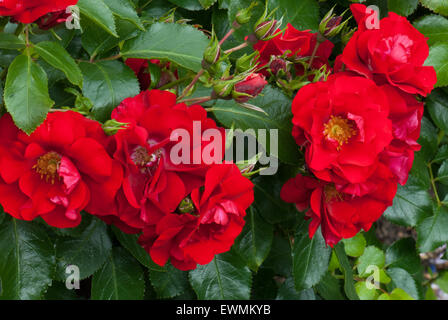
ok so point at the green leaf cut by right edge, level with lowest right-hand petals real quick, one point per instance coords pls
(432, 232)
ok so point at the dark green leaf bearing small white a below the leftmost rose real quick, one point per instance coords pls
(88, 252)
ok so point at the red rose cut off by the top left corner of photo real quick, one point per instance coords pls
(28, 11)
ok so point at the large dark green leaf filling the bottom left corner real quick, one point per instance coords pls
(27, 260)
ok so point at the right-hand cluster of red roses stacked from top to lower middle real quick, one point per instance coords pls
(360, 128)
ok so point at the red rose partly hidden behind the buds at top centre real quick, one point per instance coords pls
(295, 44)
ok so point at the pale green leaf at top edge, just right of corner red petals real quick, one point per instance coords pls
(98, 12)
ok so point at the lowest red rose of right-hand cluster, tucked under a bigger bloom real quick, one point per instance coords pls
(339, 215)
